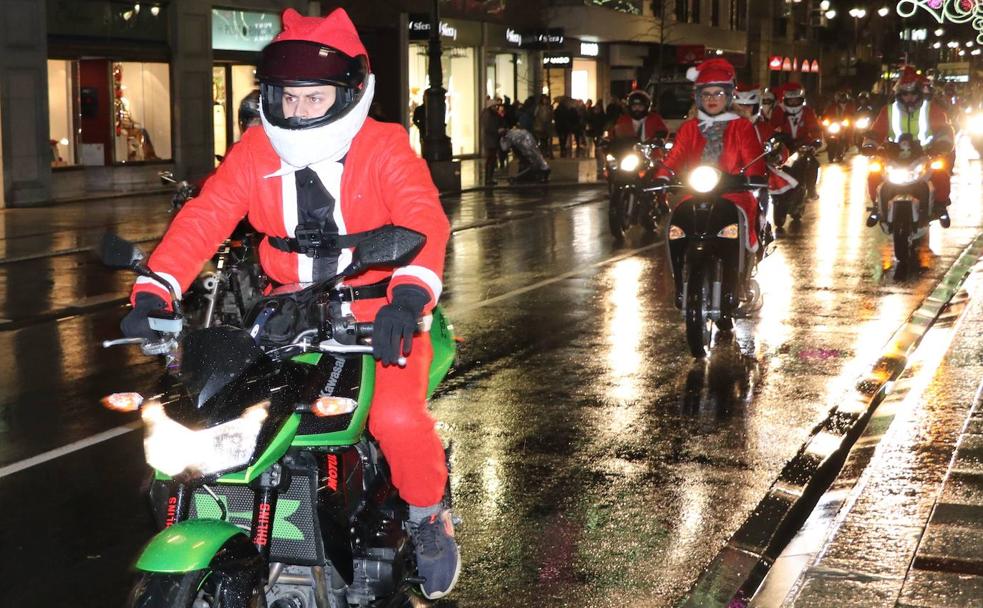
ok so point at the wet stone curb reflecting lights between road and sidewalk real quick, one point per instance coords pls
(736, 572)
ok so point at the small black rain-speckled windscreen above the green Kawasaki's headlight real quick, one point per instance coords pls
(213, 358)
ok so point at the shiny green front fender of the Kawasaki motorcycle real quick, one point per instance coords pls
(196, 544)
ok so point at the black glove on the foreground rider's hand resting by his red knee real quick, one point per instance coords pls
(396, 322)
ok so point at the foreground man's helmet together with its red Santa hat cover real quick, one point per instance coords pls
(313, 51)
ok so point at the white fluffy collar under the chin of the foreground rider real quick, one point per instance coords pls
(299, 148)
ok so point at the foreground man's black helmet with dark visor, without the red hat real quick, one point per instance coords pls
(305, 63)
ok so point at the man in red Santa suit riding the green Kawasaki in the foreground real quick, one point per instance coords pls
(320, 163)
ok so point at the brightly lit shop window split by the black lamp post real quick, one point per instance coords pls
(459, 71)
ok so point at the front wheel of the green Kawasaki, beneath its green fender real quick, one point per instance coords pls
(196, 589)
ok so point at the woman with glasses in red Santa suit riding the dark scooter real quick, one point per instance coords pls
(718, 136)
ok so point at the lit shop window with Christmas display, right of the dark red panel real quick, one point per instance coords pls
(142, 111)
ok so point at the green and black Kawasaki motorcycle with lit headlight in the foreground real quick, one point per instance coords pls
(268, 488)
